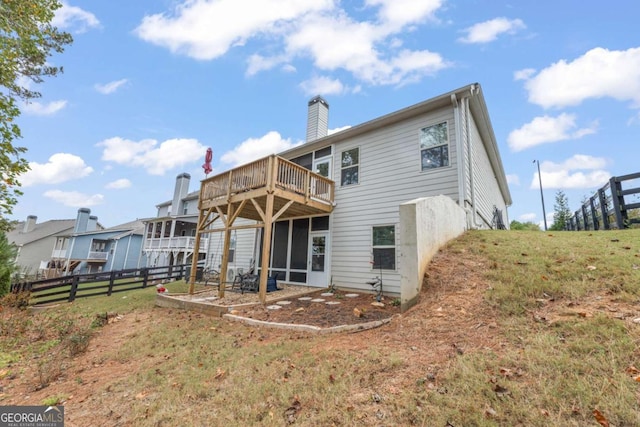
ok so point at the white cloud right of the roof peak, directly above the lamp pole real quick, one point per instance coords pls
(546, 129)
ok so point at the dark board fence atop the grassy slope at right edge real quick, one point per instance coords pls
(609, 207)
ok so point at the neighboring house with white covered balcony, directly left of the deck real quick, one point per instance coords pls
(170, 237)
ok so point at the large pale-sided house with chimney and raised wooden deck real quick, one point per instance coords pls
(330, 208)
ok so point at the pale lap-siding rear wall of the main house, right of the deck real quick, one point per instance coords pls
(389, 174)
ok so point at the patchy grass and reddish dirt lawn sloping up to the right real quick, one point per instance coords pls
(514, 328)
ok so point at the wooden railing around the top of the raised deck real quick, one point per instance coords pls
(270, 172)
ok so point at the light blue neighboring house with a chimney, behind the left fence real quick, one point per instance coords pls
(97, 249)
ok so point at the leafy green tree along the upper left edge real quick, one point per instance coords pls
(27, 39)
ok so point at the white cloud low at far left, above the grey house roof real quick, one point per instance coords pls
(61, 167)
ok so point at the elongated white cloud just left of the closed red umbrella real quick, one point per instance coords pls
(155, 158)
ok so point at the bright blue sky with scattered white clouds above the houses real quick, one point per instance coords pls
(149, 85)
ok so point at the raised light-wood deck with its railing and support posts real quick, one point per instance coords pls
(265, 190)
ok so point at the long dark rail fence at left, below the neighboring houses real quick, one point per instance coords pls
(69, 288)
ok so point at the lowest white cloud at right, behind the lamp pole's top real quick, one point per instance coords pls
(569, 174)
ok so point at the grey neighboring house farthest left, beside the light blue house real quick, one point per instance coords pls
(34, 241)
